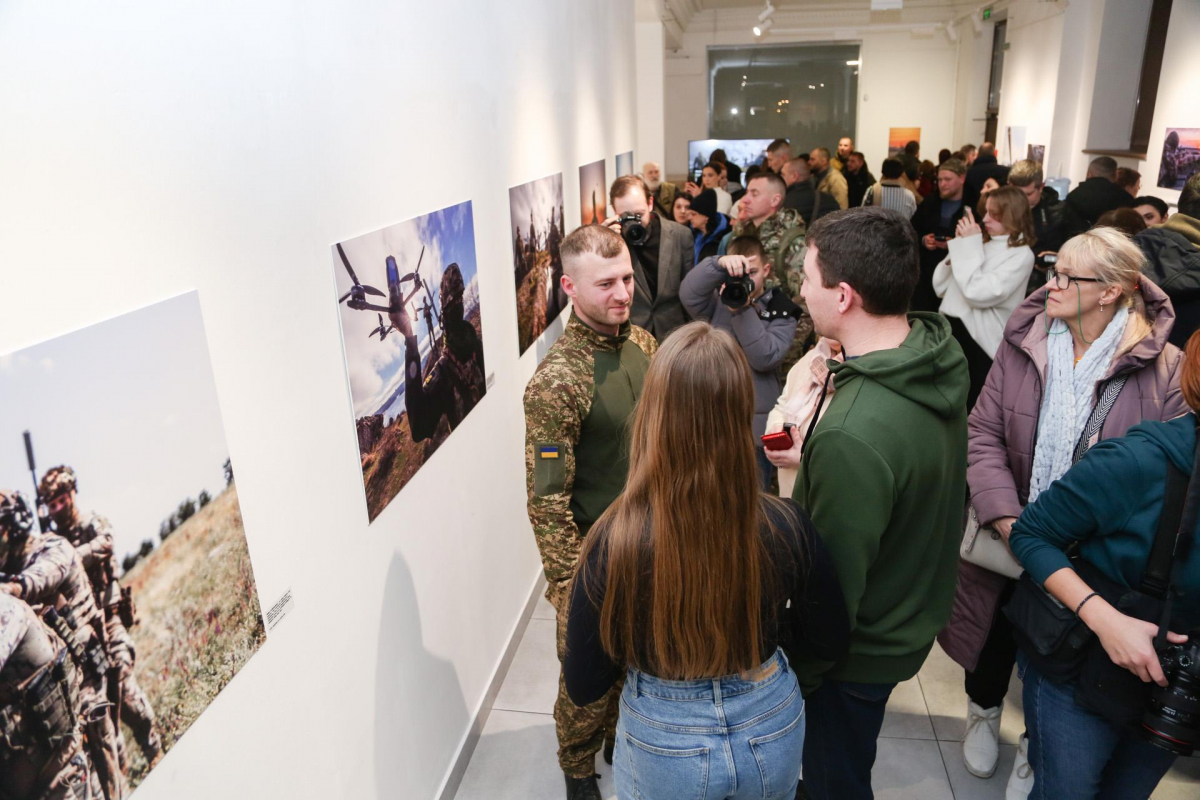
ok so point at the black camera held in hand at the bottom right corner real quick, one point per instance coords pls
(1173, 717)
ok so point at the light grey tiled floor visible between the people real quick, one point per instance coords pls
(920, 757)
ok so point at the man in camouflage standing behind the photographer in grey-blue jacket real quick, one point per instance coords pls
(782, 233)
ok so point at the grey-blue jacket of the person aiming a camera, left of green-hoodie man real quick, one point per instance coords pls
(765, 330)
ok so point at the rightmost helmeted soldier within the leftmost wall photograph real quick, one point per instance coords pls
(93, 538)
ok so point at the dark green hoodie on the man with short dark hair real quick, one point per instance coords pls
(884, 478)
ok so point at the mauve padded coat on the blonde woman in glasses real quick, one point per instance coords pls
(1003, 434)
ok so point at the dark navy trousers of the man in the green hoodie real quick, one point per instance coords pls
(847, 719)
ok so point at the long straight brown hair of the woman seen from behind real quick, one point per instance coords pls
(687, 558)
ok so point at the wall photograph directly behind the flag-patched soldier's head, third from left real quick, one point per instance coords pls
(538, 228)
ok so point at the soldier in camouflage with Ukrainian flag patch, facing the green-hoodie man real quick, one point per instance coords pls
(578, 407)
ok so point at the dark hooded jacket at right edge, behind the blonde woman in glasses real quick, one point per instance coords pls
(1173, 254)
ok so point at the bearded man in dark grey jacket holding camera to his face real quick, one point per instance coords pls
(663, 255)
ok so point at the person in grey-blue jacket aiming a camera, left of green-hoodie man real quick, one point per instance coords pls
(731, 293)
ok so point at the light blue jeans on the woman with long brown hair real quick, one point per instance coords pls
(709, 739)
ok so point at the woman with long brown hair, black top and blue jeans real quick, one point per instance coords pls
(694, 581)
